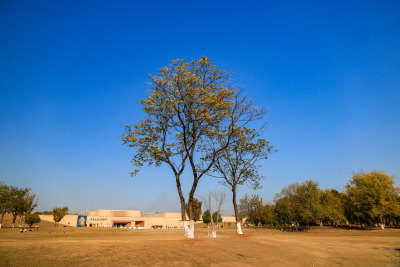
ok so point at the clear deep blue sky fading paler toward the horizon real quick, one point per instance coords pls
(72, 73)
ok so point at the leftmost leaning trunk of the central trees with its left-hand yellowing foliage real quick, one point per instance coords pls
(156, 140)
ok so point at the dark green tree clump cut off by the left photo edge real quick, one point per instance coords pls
(18, 202)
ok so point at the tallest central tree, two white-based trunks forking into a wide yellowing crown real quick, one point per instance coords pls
(189, 103)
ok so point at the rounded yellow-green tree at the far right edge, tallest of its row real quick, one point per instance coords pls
(372, 198)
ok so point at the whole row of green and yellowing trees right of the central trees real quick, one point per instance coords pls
(368, 199)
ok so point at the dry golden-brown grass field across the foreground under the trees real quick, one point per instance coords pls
(61, 246)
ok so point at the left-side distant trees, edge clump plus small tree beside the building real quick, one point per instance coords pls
(20, 203)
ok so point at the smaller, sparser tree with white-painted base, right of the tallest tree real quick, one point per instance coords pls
(236, 165)
